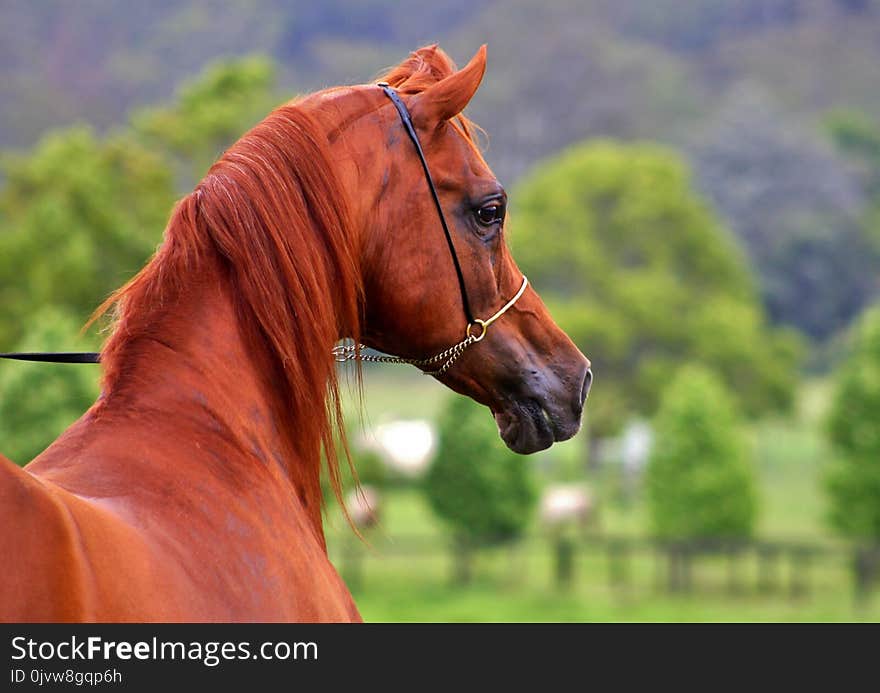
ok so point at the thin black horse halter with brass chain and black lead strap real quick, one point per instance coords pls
(348, 352)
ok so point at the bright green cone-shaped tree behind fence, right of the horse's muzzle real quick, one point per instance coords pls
(699, 481)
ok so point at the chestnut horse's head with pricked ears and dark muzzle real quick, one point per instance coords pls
(523, 366)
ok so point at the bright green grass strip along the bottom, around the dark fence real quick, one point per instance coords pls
(406, 567)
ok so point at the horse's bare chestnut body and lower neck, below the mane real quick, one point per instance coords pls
(174, 501)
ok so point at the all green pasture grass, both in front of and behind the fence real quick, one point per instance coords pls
(403, 573)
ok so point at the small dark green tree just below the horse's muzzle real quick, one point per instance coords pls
(483, 492)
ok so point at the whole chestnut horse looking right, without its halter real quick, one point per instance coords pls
(190, 490)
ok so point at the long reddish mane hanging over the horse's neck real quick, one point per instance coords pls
(272, 214)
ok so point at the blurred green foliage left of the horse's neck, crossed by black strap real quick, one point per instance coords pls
(79, 215)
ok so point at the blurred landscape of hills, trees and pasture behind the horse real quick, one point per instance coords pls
(695, 191)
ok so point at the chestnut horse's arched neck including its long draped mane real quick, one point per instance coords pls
(231, 325)
